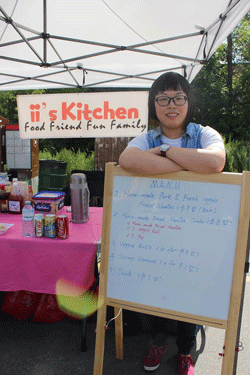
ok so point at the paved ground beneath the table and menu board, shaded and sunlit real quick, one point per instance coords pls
(28, 348)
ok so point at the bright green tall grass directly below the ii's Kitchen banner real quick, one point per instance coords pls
(75, 160)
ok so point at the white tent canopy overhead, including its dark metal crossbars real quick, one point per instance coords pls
(109, 43)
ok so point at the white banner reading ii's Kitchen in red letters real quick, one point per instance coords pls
(83, 115)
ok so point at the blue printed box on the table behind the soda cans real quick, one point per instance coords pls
(49, 202)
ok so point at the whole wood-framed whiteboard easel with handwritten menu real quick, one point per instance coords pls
(174, 245)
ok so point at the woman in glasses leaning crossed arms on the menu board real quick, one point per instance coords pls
(176, 144)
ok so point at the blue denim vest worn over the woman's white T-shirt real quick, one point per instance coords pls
(191, 139)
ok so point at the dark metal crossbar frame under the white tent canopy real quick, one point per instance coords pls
(61, 65)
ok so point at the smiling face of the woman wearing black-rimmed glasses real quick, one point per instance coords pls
(172, 116)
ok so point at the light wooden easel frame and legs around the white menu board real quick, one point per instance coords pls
(231, 324)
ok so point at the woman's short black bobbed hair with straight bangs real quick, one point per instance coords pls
(171, 81)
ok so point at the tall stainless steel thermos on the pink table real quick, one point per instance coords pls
(79, 193)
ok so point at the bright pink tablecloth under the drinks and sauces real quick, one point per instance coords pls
(36, 264)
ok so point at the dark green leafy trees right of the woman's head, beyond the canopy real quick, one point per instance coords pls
(222, 86)
